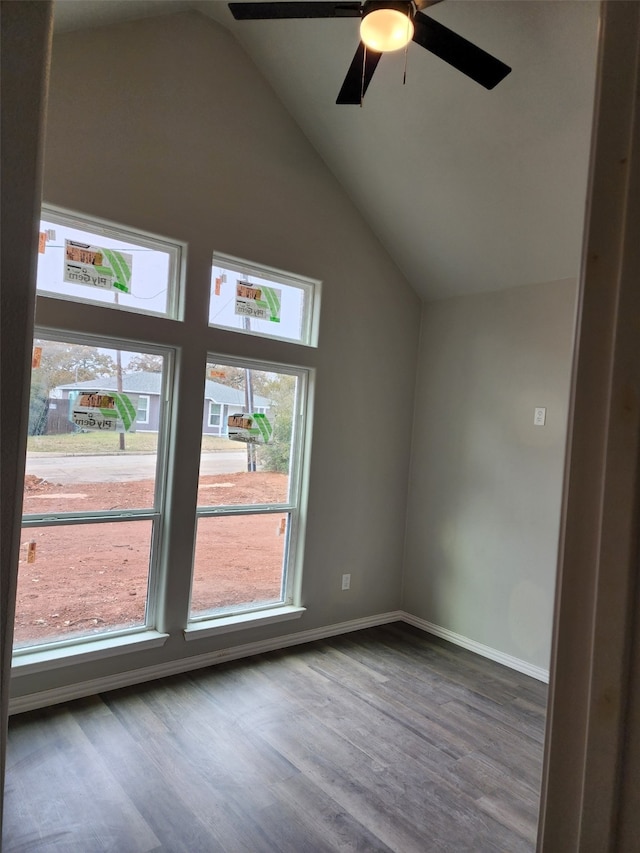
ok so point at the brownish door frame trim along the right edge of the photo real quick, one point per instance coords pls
(592, 758)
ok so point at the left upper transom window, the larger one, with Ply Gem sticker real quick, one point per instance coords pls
(89, 262)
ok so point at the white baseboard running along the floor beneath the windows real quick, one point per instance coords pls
(56, 695)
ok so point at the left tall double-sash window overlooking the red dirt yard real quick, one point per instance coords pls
(93, 492)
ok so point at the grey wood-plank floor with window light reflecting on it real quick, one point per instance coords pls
(381, 740)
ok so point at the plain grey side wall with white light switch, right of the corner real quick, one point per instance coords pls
(485, 488)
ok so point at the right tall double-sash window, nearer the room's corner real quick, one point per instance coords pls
(248, 495)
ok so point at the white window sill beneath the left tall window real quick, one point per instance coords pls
(38, 660)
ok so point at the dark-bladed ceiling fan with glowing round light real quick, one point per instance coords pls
(385, 26)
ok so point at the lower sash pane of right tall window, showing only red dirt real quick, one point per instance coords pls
(238, 563)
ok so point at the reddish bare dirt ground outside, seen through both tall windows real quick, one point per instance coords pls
(82, 579)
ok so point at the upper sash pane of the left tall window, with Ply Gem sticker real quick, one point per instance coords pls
(79, 458)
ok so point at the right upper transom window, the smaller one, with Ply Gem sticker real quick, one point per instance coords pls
(273, 304)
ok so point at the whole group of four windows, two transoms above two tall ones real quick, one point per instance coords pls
(129, 421)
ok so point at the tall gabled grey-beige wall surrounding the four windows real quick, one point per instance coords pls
(165, 125)
